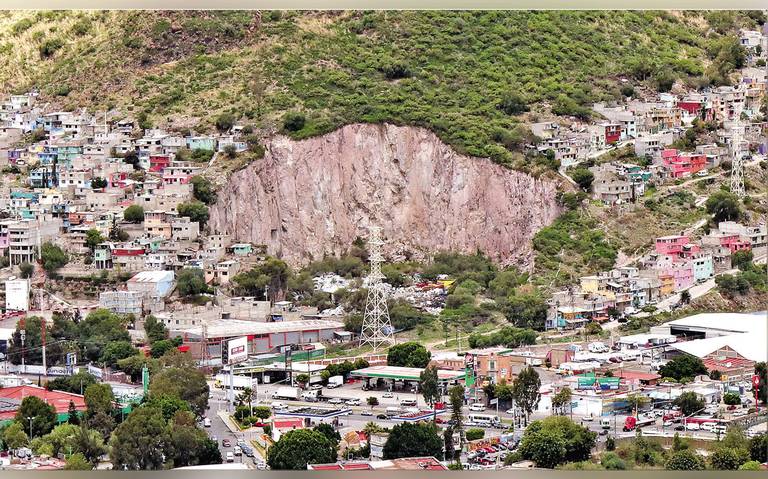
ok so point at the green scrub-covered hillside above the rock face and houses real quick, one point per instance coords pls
(467, 76)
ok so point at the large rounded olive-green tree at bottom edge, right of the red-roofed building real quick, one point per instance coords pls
(141, 442)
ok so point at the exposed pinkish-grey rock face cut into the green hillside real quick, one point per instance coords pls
(312, 197)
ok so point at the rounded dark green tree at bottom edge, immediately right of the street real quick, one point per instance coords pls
(300, 447)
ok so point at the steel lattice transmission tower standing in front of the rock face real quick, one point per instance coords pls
(377, 327)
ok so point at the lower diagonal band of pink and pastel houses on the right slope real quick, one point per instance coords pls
(676, 264)
